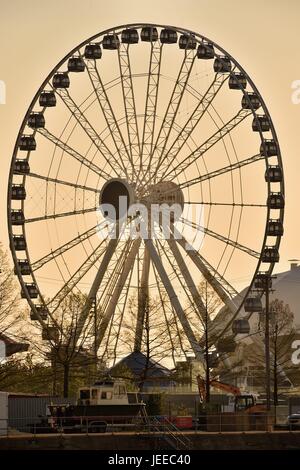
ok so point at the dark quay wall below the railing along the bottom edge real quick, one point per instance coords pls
(201, 441)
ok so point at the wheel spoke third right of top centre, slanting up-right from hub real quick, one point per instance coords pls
(192, 122)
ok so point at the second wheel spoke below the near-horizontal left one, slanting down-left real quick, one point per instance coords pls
(78, 275)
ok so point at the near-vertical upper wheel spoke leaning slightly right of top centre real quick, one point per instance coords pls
(151, 100)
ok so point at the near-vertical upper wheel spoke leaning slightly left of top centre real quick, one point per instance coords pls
(129, 103)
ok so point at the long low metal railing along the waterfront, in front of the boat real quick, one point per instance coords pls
(160, 427)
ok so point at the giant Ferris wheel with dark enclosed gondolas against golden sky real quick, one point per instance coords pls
(160, 115)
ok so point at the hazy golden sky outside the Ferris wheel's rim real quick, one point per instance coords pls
(262, 36)
